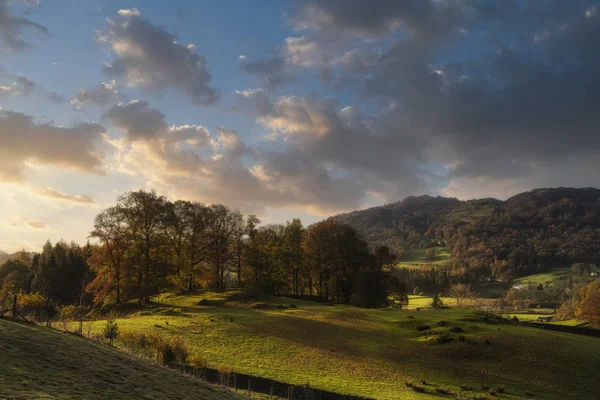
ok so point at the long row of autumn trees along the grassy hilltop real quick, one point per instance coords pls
(146, 244)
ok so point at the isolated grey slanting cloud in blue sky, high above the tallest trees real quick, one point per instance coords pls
(149, 57)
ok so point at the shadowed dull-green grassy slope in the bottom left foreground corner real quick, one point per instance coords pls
(40, 363)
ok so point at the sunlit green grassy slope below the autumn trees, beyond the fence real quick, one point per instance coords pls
(373, 352)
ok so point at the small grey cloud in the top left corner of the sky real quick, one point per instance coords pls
(12, 29)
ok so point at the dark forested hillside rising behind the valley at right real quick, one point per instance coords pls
(488, 237)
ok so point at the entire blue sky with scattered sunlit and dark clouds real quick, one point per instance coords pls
(300, 108)
